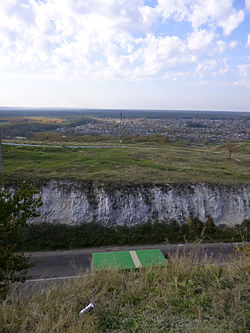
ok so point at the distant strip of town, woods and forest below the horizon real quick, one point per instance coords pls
(79, 125)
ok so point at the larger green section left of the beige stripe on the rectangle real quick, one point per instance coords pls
(111, 260)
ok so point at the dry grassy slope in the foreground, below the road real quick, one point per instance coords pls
(184, 296)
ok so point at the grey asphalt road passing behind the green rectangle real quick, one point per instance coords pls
(55, 265)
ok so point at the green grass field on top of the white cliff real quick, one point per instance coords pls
(137, 163)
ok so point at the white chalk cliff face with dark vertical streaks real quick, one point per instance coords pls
(73, 202)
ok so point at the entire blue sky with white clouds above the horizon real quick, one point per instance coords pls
(132, 54)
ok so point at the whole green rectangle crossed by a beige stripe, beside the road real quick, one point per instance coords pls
(127, 259)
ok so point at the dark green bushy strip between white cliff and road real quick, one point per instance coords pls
(47, 236)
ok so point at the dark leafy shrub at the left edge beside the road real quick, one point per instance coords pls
(16, 208)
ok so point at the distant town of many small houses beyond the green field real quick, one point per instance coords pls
(191, 130)
